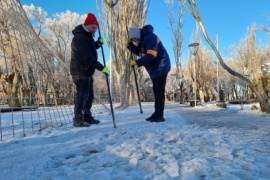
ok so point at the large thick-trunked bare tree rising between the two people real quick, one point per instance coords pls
(126, 13)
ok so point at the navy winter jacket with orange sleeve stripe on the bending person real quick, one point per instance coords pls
(154, 56)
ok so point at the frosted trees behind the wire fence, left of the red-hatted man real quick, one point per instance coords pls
(33, 61)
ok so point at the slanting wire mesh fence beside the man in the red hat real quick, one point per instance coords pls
(36, 90)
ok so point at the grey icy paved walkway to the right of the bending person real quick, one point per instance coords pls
(232, 119)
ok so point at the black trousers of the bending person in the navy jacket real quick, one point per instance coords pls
(159, 93)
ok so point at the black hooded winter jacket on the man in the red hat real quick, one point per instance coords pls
(84, 59)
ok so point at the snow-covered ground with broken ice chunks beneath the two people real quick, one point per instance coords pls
(204, 142)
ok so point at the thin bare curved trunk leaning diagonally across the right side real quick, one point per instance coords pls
(191, 7)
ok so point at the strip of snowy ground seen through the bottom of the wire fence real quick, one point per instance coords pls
(25, 122)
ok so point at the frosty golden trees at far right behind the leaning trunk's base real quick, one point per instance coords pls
(253, 61)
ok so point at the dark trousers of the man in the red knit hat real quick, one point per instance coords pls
(84, 95)
